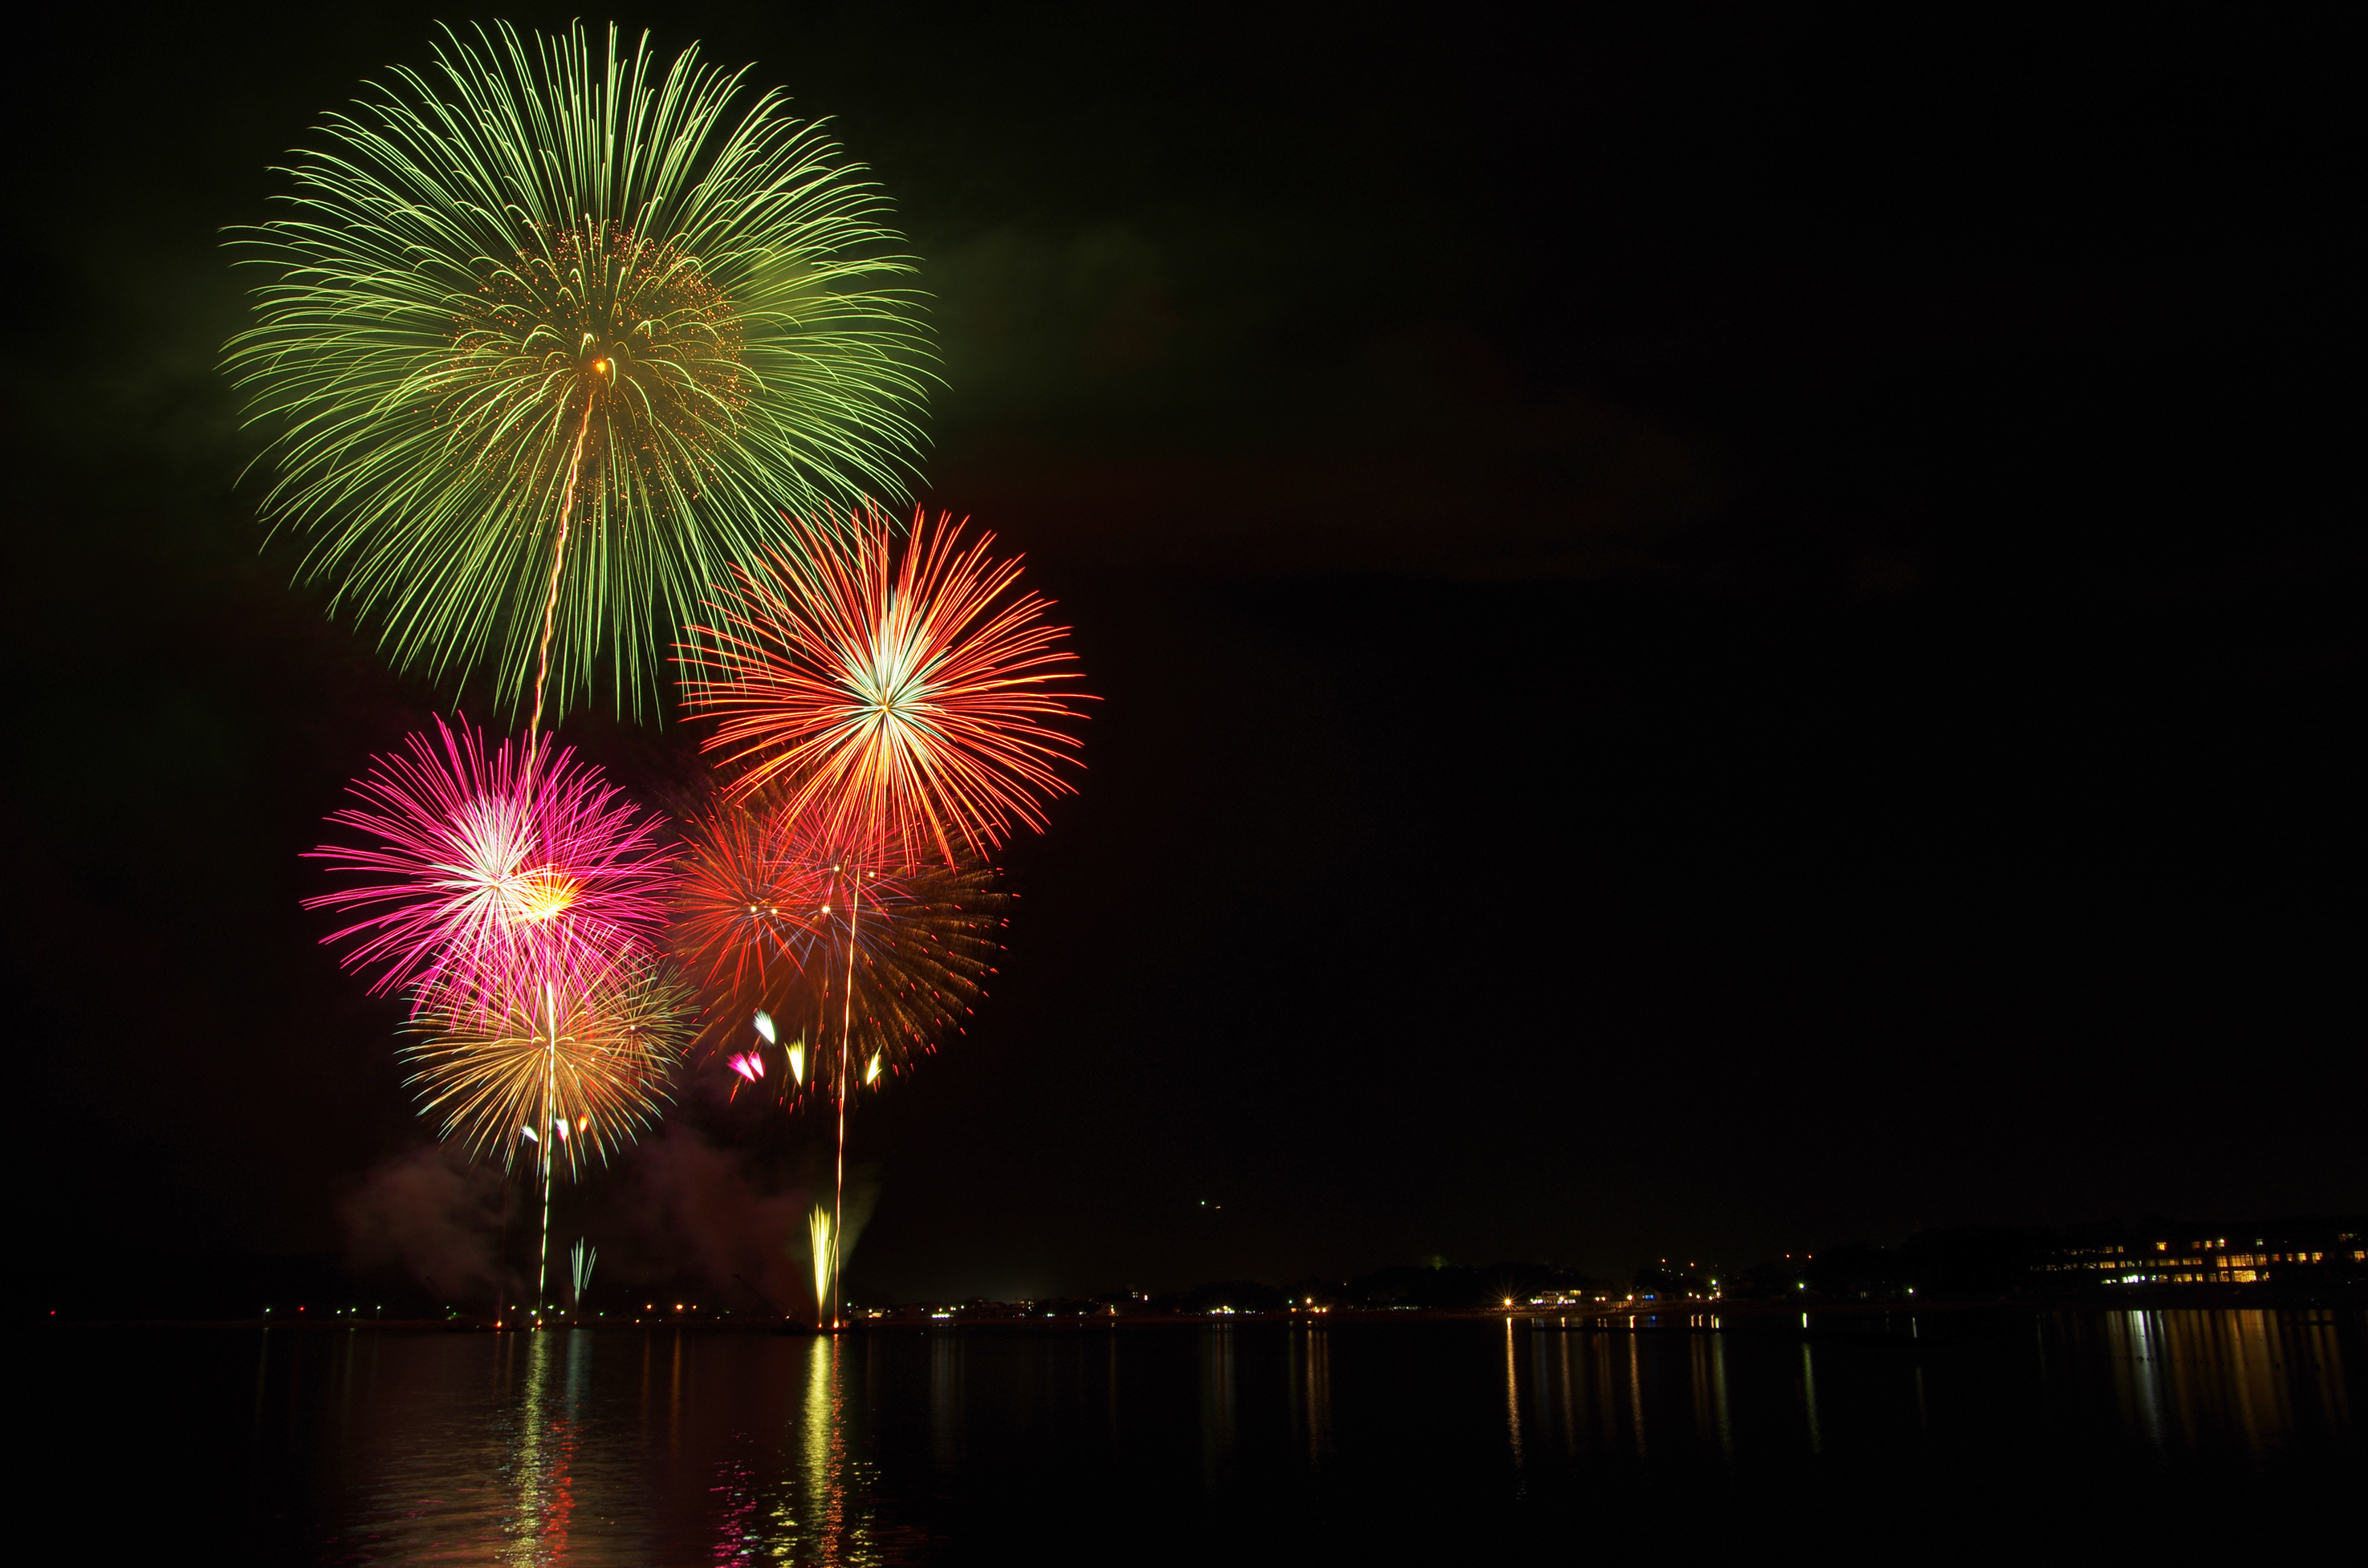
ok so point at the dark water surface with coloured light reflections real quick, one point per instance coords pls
(1448, 1441)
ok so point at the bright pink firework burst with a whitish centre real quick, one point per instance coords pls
(482, 868)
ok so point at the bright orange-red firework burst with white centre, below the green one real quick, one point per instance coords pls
(887, 690)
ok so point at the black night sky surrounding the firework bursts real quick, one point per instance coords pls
(1720, 631)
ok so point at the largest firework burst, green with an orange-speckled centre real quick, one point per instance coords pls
(553, 342)
